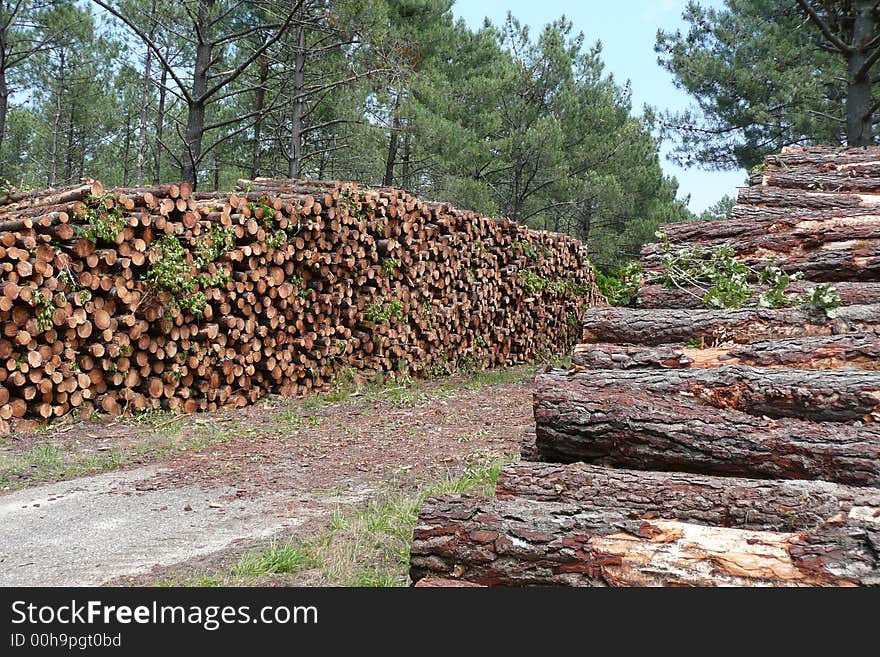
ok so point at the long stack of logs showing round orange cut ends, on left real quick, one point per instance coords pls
(297, 280)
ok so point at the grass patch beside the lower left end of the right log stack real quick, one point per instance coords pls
(363, 546)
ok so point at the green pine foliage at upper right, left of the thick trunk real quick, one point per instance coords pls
(762, 78)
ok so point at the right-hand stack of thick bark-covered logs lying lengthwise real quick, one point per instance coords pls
(689, 446)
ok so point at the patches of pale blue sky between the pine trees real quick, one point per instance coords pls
(628, 31)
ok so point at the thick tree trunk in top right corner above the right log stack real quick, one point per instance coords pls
(859, 104)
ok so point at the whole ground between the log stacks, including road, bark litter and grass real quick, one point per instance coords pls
(322, 490)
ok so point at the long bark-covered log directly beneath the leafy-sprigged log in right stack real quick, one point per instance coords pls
(666, 326)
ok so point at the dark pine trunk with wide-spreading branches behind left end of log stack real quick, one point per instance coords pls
(195, 122)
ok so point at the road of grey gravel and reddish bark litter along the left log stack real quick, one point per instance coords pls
(222, 482)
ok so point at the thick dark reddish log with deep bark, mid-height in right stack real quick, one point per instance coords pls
(579, 421)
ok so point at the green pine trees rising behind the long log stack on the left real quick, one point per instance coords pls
(498, 119)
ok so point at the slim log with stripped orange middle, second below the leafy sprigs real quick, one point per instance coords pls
(846, 351)
